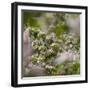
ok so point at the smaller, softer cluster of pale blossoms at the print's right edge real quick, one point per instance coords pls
(69, 42)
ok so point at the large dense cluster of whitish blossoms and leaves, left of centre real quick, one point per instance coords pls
(45, 46)
